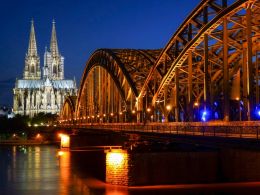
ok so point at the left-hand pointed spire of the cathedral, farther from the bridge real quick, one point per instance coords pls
(32, 68)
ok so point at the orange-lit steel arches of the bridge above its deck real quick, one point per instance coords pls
(209, 69)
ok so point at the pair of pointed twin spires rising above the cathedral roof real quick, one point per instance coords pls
(32, 60)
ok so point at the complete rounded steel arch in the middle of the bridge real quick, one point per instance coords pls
(111, 83)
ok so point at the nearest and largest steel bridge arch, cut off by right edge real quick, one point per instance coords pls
(218, 41)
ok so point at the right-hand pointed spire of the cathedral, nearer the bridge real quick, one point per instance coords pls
(53, 61)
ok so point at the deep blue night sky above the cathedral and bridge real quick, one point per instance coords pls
(82, 27)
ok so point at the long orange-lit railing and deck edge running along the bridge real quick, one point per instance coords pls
(234, 129)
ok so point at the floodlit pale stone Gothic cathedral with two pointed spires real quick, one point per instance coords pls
(42, 89)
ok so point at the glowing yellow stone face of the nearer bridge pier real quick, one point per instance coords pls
(117, 167)
